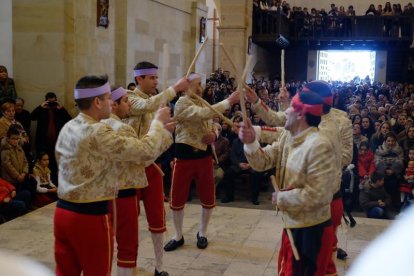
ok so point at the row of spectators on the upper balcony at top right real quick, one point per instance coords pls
(335, 21)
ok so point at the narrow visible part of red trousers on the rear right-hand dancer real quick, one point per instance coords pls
(337, 210)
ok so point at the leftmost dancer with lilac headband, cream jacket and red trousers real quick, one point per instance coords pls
(87, 152)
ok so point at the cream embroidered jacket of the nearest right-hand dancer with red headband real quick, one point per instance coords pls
(304, 165)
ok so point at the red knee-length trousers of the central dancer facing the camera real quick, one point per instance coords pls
(184, 171)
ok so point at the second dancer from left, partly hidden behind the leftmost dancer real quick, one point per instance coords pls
(131, 175)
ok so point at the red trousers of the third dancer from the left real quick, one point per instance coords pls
(153, 198)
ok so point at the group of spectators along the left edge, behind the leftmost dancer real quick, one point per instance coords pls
(28, 176)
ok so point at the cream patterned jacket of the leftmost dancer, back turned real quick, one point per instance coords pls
(87, 152)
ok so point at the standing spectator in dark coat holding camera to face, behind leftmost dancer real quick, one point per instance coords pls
(51, 116)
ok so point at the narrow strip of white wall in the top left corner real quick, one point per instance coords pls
(6, 34)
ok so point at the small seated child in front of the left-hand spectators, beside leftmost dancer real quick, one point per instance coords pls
(45, 189)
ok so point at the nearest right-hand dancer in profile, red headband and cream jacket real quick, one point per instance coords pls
(303, 157)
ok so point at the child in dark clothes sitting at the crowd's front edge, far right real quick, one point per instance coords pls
(374, 199)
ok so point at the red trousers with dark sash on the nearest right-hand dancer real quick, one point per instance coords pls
(314, 248)
